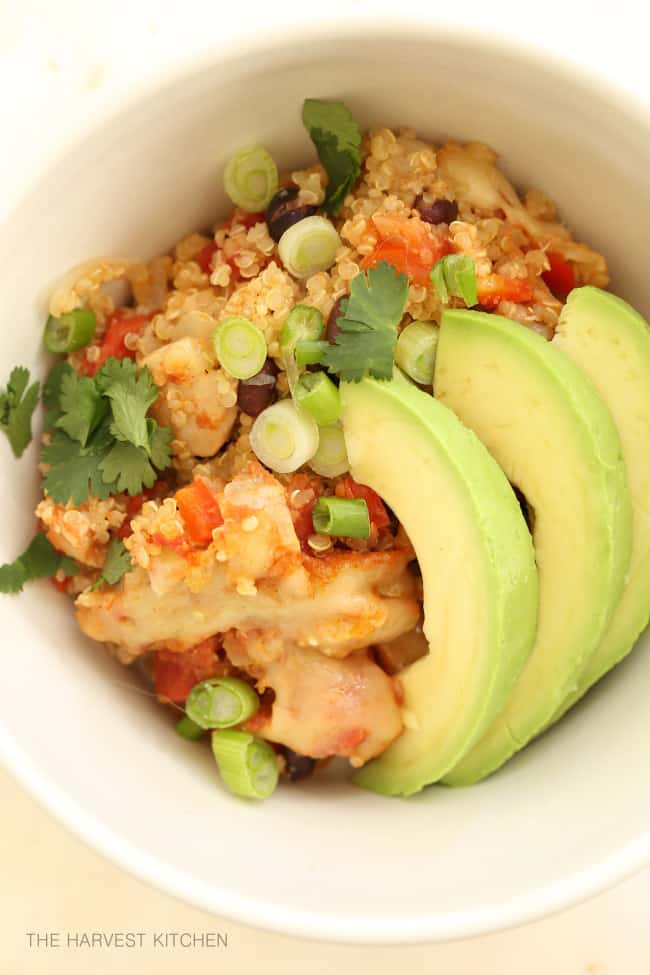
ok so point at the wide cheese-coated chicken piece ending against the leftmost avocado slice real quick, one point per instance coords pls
(251, 578)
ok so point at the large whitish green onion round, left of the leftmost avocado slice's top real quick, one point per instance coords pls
(284, 438)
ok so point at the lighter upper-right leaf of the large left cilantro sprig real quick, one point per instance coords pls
(131, 395)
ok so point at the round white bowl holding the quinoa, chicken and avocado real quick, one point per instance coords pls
(323, 859)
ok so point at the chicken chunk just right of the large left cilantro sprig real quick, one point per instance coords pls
(197, 400)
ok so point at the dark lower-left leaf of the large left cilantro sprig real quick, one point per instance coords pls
(75, 472)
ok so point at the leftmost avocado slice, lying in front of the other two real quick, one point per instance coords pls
(478, 573)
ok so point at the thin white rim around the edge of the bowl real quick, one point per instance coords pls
(360, 929)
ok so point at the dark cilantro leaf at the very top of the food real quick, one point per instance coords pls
(337, 138)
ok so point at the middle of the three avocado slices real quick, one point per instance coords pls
(545, 424)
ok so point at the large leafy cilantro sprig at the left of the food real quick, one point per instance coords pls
(101, 440)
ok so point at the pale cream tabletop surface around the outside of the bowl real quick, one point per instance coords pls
(62, 66)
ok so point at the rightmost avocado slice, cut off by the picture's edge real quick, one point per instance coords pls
(610, 342)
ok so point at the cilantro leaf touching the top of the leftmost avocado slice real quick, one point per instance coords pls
(368, 326)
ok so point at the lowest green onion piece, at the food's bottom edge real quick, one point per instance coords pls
(247, 764)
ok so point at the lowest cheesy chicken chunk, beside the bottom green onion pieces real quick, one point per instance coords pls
(325, 707)
